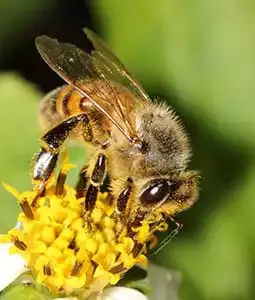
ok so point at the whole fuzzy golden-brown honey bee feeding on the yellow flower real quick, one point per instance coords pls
(139, 143)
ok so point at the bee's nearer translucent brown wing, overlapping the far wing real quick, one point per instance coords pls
(76, 67)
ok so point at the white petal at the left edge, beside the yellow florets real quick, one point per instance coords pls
(11, 266)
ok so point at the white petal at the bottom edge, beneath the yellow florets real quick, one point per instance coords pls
(122, 293)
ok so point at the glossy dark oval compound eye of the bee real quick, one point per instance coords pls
(156, 192)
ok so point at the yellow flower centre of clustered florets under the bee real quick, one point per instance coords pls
(71, 251)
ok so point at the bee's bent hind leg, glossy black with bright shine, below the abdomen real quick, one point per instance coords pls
(52, 142)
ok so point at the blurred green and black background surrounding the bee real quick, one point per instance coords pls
(197, 55)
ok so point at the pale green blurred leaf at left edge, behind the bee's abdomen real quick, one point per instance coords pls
(19, 136)
